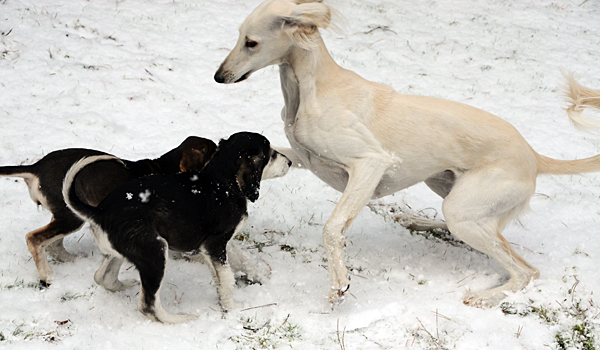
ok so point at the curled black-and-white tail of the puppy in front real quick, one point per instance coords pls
(83, 210)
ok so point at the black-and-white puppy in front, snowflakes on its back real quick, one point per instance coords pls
(188, 212)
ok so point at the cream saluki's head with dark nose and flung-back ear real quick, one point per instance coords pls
(269, 34)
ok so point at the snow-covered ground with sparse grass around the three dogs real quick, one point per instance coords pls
(135, 77)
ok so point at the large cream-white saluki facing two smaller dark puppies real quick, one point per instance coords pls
(367, 141)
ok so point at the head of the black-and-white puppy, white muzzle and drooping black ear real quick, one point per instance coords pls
(255, 161)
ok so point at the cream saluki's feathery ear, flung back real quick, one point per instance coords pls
(304, 22)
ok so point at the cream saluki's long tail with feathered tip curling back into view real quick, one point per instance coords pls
(579, 98)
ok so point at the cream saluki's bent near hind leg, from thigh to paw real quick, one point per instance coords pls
(476, 210)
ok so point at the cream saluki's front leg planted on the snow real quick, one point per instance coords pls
(364, 176)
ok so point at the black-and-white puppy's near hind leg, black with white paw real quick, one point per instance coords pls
(151, 265)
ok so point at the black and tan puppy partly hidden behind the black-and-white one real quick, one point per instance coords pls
(45, 178)
